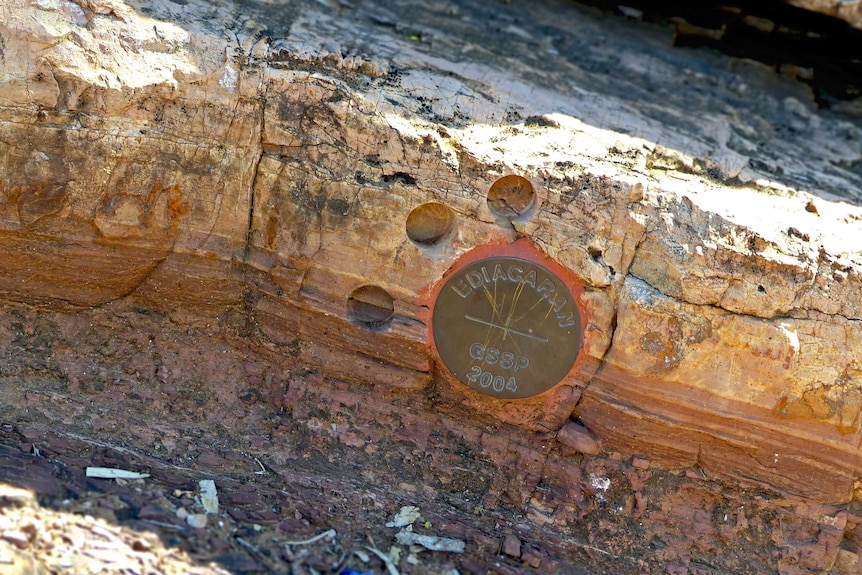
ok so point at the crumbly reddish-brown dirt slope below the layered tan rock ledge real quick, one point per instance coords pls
(295, 455)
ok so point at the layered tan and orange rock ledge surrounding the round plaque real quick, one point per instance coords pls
(254, 164)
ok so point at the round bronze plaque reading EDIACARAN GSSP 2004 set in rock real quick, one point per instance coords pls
(507, 327)
